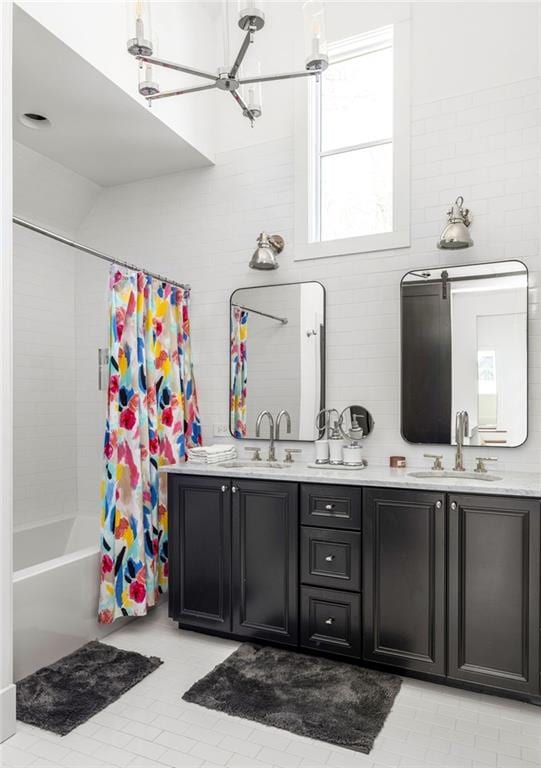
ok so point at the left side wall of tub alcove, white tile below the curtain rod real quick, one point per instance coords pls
(44, 418)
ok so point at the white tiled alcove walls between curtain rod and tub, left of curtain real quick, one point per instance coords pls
(60, 321)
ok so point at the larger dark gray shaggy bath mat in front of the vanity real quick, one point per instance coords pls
(327, 700)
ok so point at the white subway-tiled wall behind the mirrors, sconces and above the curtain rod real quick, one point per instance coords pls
(200, 226)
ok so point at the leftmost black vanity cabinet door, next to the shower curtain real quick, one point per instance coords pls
(200, 552)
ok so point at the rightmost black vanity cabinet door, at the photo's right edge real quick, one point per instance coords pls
(494, 591)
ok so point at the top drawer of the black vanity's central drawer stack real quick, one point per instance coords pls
(329, 506)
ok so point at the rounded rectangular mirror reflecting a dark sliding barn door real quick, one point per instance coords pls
(465, 348)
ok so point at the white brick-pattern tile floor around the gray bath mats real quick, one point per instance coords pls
(430, 726)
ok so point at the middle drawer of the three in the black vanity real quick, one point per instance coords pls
(331, 558)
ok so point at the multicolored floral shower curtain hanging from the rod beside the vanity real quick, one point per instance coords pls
(152, 417)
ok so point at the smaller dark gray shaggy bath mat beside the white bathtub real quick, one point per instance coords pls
(67, 693)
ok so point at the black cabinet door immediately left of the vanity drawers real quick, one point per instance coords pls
(265, 560)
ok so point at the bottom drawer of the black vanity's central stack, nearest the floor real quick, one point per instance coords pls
(331, 621)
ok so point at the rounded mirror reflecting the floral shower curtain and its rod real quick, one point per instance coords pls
(277, 358)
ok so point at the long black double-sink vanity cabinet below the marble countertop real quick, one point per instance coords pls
(429, 583)
